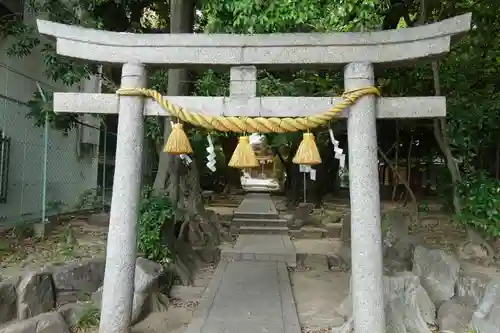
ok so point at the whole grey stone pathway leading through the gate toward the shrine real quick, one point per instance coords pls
(250, 291)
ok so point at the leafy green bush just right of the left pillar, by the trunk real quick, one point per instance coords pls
(155, 212)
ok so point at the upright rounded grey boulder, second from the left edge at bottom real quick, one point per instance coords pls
(35, 294)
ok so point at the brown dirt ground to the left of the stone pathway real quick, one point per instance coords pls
(76, 240)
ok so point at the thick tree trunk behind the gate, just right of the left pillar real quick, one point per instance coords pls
(175, 177)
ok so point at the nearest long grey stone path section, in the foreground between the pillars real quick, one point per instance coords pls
(247, 297)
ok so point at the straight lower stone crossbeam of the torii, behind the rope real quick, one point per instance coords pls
(387, 107)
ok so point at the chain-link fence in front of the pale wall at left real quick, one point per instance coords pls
(46, 172)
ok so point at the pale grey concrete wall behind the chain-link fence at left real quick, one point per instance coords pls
(68, 175)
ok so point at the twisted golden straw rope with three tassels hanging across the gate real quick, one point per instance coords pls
(244, 156)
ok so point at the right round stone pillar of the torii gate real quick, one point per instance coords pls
(366, 235)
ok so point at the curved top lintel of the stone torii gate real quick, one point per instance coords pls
(396, 47)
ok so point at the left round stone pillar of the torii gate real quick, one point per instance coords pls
(118, 290)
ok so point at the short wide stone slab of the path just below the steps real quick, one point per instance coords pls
(262, 248)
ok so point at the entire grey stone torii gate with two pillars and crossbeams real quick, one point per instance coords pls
(358, 52)
